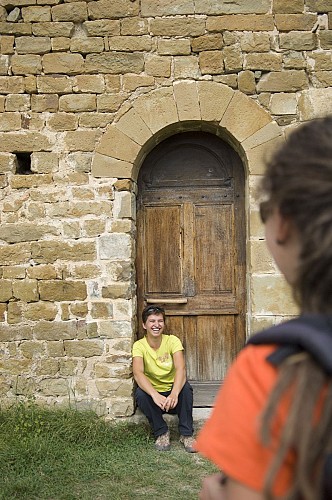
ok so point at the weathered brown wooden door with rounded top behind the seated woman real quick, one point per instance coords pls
(191, 251)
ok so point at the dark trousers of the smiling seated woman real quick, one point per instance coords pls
(154, 414)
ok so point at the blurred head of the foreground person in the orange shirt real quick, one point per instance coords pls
(298, 213)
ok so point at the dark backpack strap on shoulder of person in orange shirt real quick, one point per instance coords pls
(310, 333)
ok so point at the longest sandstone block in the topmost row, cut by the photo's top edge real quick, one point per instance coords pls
(234, 7)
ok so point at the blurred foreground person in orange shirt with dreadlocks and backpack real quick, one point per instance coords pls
(270, 432)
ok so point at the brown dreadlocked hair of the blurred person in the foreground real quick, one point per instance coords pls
(298, 181)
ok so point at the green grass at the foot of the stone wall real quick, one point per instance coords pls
(67, 455)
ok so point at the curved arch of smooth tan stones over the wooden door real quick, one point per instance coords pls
(185, 105)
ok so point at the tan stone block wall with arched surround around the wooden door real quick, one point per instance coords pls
(87, 89)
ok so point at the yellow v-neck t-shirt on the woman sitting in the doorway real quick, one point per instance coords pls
(158, 365)
